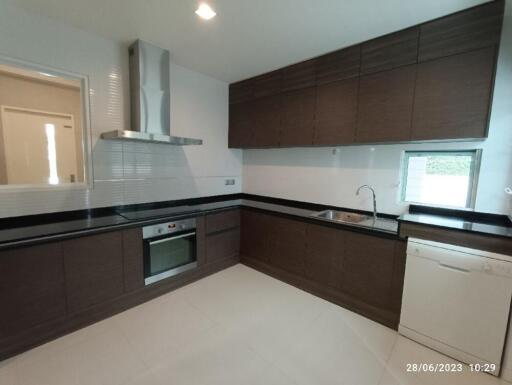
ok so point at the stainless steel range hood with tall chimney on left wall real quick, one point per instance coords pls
(150, 98)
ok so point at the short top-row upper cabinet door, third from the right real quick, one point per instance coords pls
(338, 65)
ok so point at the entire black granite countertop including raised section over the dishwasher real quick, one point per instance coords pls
(21, 231)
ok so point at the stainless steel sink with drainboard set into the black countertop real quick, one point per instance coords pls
(359, 220)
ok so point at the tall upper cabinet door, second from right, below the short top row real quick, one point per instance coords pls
(385, 106)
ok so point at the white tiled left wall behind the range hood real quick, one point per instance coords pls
(125, 173)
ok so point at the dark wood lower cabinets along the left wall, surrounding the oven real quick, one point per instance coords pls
(52, 289)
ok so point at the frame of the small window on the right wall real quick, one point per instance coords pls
(474, 174)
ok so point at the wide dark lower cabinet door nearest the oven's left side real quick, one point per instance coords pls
(94, 269)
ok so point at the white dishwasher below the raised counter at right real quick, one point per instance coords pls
(457, 301)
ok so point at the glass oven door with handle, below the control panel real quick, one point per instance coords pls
(168, 255)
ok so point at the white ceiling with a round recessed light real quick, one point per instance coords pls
(248, 37)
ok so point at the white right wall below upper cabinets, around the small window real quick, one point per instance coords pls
(316, 175)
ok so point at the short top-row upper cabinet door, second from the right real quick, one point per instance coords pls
(390, 51)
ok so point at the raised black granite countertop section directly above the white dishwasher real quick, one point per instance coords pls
(480, 223)
